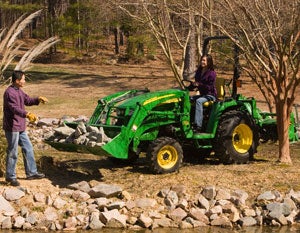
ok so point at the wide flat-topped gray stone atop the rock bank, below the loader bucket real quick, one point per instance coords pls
(105, 190)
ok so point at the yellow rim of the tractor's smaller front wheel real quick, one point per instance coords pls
(167, 157)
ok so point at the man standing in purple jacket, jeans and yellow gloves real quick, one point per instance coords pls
(14, 125)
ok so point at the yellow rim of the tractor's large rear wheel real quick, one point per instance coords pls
(242, 138)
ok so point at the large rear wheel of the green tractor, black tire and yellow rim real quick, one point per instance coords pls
(237, 138)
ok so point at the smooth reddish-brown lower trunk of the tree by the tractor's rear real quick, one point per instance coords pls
(283, 120)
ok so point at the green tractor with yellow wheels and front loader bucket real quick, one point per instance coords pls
(159, 124)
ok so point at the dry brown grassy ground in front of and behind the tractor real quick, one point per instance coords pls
(73, 89)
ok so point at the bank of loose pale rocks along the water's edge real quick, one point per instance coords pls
(95, 205)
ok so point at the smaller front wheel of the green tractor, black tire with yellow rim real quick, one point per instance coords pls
(164, 155)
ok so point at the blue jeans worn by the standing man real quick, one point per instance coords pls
(13, 140)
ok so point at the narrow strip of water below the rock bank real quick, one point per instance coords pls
(256, 229)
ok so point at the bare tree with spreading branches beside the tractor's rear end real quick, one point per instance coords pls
(268, 34)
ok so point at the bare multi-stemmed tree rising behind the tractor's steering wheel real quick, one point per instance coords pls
(174, 25)
